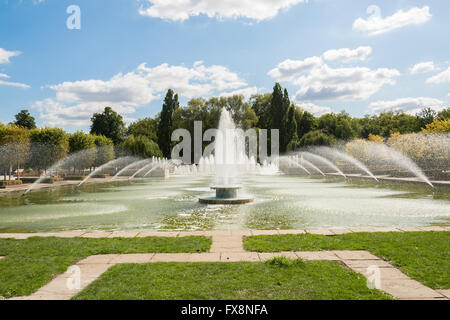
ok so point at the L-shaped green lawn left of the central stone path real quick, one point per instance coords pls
(30, 264)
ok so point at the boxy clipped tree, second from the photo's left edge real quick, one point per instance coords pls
(48, 146)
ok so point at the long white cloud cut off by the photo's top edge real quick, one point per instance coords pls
(180, 10)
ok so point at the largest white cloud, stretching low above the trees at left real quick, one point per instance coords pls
(75, 102)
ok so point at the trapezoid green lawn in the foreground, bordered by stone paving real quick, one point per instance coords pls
(280, 279)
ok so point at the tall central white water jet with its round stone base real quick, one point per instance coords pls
(230, 159)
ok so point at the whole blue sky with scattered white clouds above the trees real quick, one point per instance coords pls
(65, 60)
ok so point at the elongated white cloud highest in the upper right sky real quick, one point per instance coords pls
(376, 24)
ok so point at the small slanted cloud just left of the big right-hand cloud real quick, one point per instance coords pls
(289, 70)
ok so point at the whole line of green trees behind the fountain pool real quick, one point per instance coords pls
(22, 144)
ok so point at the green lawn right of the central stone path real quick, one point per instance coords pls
(424, 256)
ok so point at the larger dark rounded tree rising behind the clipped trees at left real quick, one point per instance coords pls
(109, 124)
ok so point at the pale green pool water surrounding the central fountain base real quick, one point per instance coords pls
(281, 202)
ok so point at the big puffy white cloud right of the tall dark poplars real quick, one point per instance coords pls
(326, 83)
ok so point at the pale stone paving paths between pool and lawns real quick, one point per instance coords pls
(227, 246)
